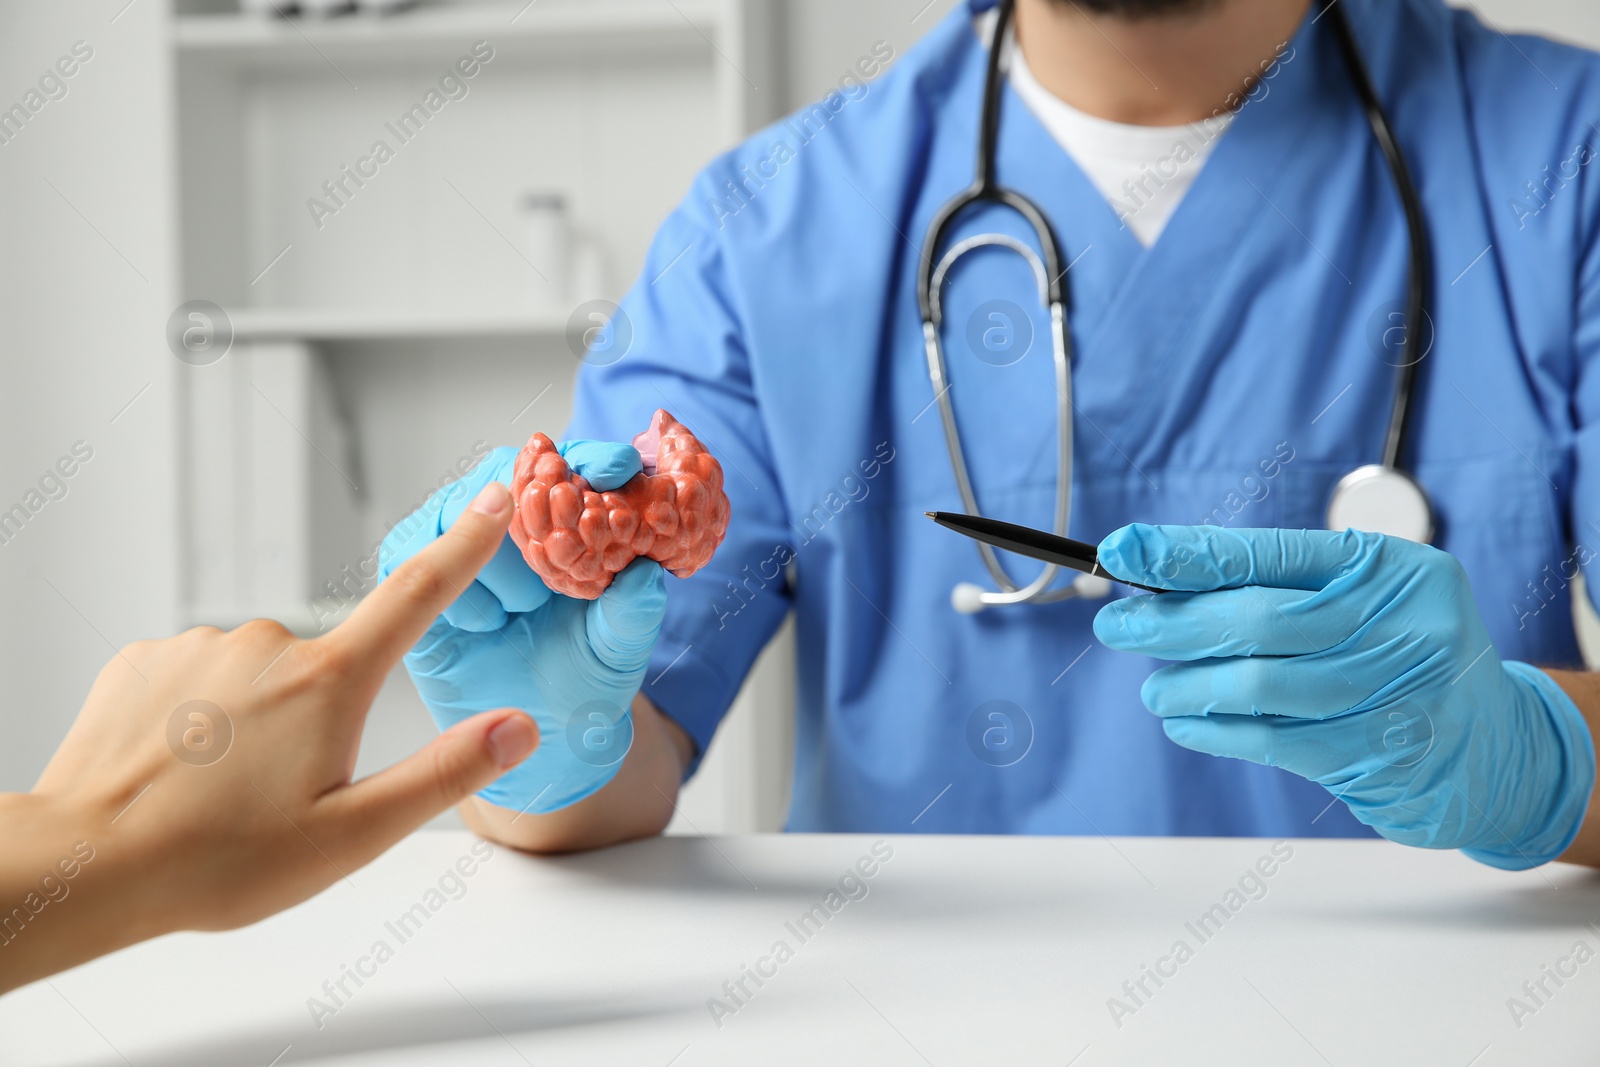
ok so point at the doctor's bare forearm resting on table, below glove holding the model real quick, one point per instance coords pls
(639, 802)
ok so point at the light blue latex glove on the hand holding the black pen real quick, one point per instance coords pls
(1361, 663)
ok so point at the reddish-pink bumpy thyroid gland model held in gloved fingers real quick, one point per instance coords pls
(578, 540)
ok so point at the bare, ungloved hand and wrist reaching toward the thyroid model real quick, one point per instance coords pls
(207, 783)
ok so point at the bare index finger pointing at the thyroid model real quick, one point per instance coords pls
(396, 615)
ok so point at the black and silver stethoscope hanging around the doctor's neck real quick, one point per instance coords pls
(1380, 498)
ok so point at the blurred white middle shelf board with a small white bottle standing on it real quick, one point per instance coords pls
(380, 326)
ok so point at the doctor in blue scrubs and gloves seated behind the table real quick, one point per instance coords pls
(1236, 258)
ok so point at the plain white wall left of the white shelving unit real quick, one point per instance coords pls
(86, 270)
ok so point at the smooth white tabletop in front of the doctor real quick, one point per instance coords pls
(966, 951)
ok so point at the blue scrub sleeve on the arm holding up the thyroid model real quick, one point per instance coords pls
(679, 345)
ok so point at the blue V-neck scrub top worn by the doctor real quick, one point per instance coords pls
(1230, 375)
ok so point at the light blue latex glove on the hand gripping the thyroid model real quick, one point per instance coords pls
(510, 642)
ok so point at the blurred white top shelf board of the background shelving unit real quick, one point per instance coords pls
(559, 26)
